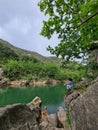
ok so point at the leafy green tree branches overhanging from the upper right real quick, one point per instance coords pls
(76, 24)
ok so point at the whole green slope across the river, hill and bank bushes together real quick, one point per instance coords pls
(22, 64)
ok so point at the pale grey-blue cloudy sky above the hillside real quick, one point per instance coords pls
(21, 23)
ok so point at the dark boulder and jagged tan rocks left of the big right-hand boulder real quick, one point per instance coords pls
(30, 117)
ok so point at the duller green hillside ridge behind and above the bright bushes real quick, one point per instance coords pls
(8, 51)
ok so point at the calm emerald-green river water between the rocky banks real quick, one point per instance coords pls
(51, 96)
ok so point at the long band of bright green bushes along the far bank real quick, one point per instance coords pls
(14, 69)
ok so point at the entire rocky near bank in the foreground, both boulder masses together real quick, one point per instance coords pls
(82, 109)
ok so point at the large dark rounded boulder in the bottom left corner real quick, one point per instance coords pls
(20, 117)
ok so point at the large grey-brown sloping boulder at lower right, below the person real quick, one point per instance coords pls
(83, 109)
